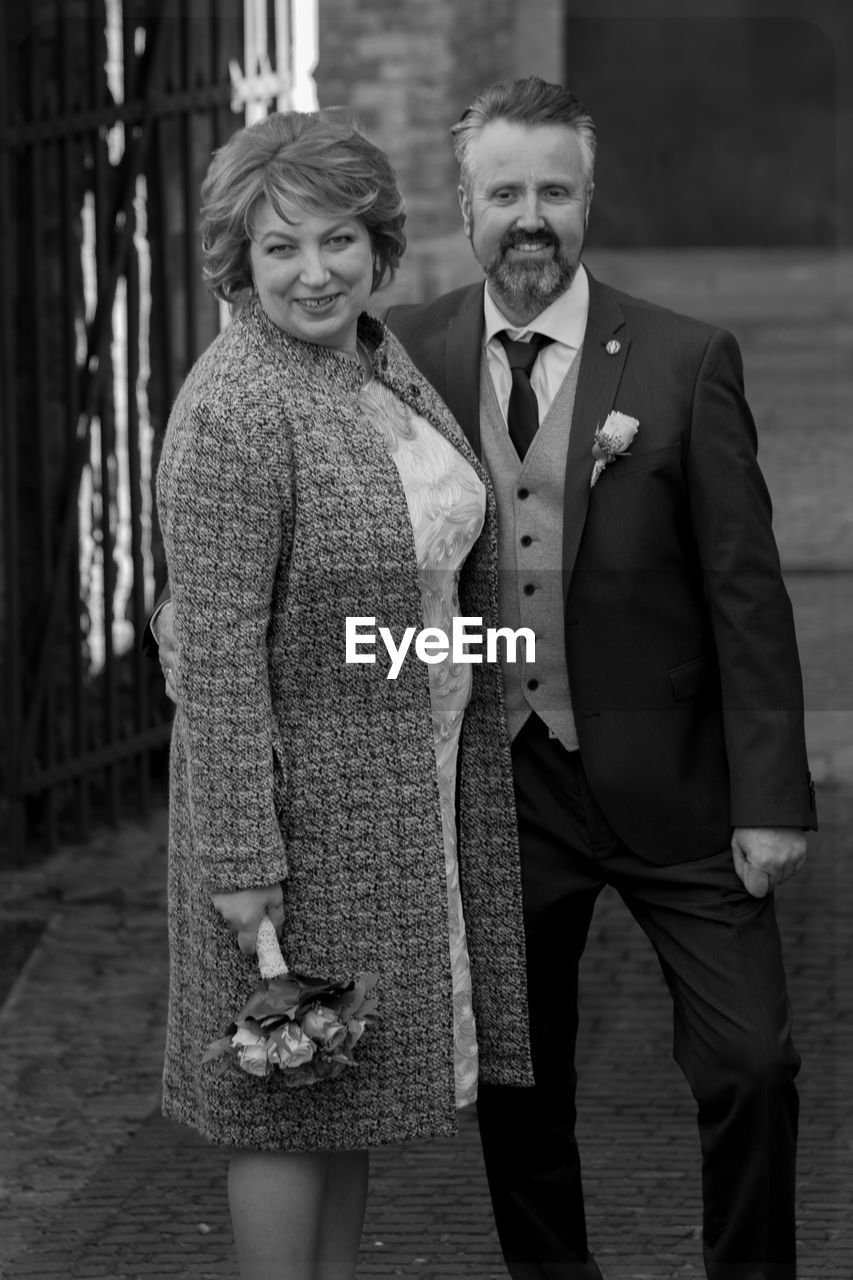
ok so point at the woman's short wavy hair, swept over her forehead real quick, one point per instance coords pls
(318, 161)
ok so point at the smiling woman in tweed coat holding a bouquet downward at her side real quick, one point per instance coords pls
(311, 476)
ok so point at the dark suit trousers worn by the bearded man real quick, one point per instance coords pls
(720, 954)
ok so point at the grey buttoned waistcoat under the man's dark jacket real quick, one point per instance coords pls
(531, 556)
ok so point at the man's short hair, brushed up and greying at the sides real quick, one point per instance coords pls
(524, 102)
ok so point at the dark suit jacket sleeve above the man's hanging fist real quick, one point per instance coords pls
(751, 612)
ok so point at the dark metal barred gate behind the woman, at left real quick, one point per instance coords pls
(110, 111)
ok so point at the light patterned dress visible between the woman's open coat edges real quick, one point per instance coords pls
(446, 505)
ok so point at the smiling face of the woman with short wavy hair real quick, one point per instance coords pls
(313, 273)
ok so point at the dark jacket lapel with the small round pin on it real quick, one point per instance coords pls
(597, 385)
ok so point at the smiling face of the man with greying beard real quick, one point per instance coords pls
(526, 204)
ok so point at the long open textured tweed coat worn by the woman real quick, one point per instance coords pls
(282, 515)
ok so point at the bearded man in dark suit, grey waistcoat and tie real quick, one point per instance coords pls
(658, 742)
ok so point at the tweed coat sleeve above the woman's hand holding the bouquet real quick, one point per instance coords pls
(223, 519)
